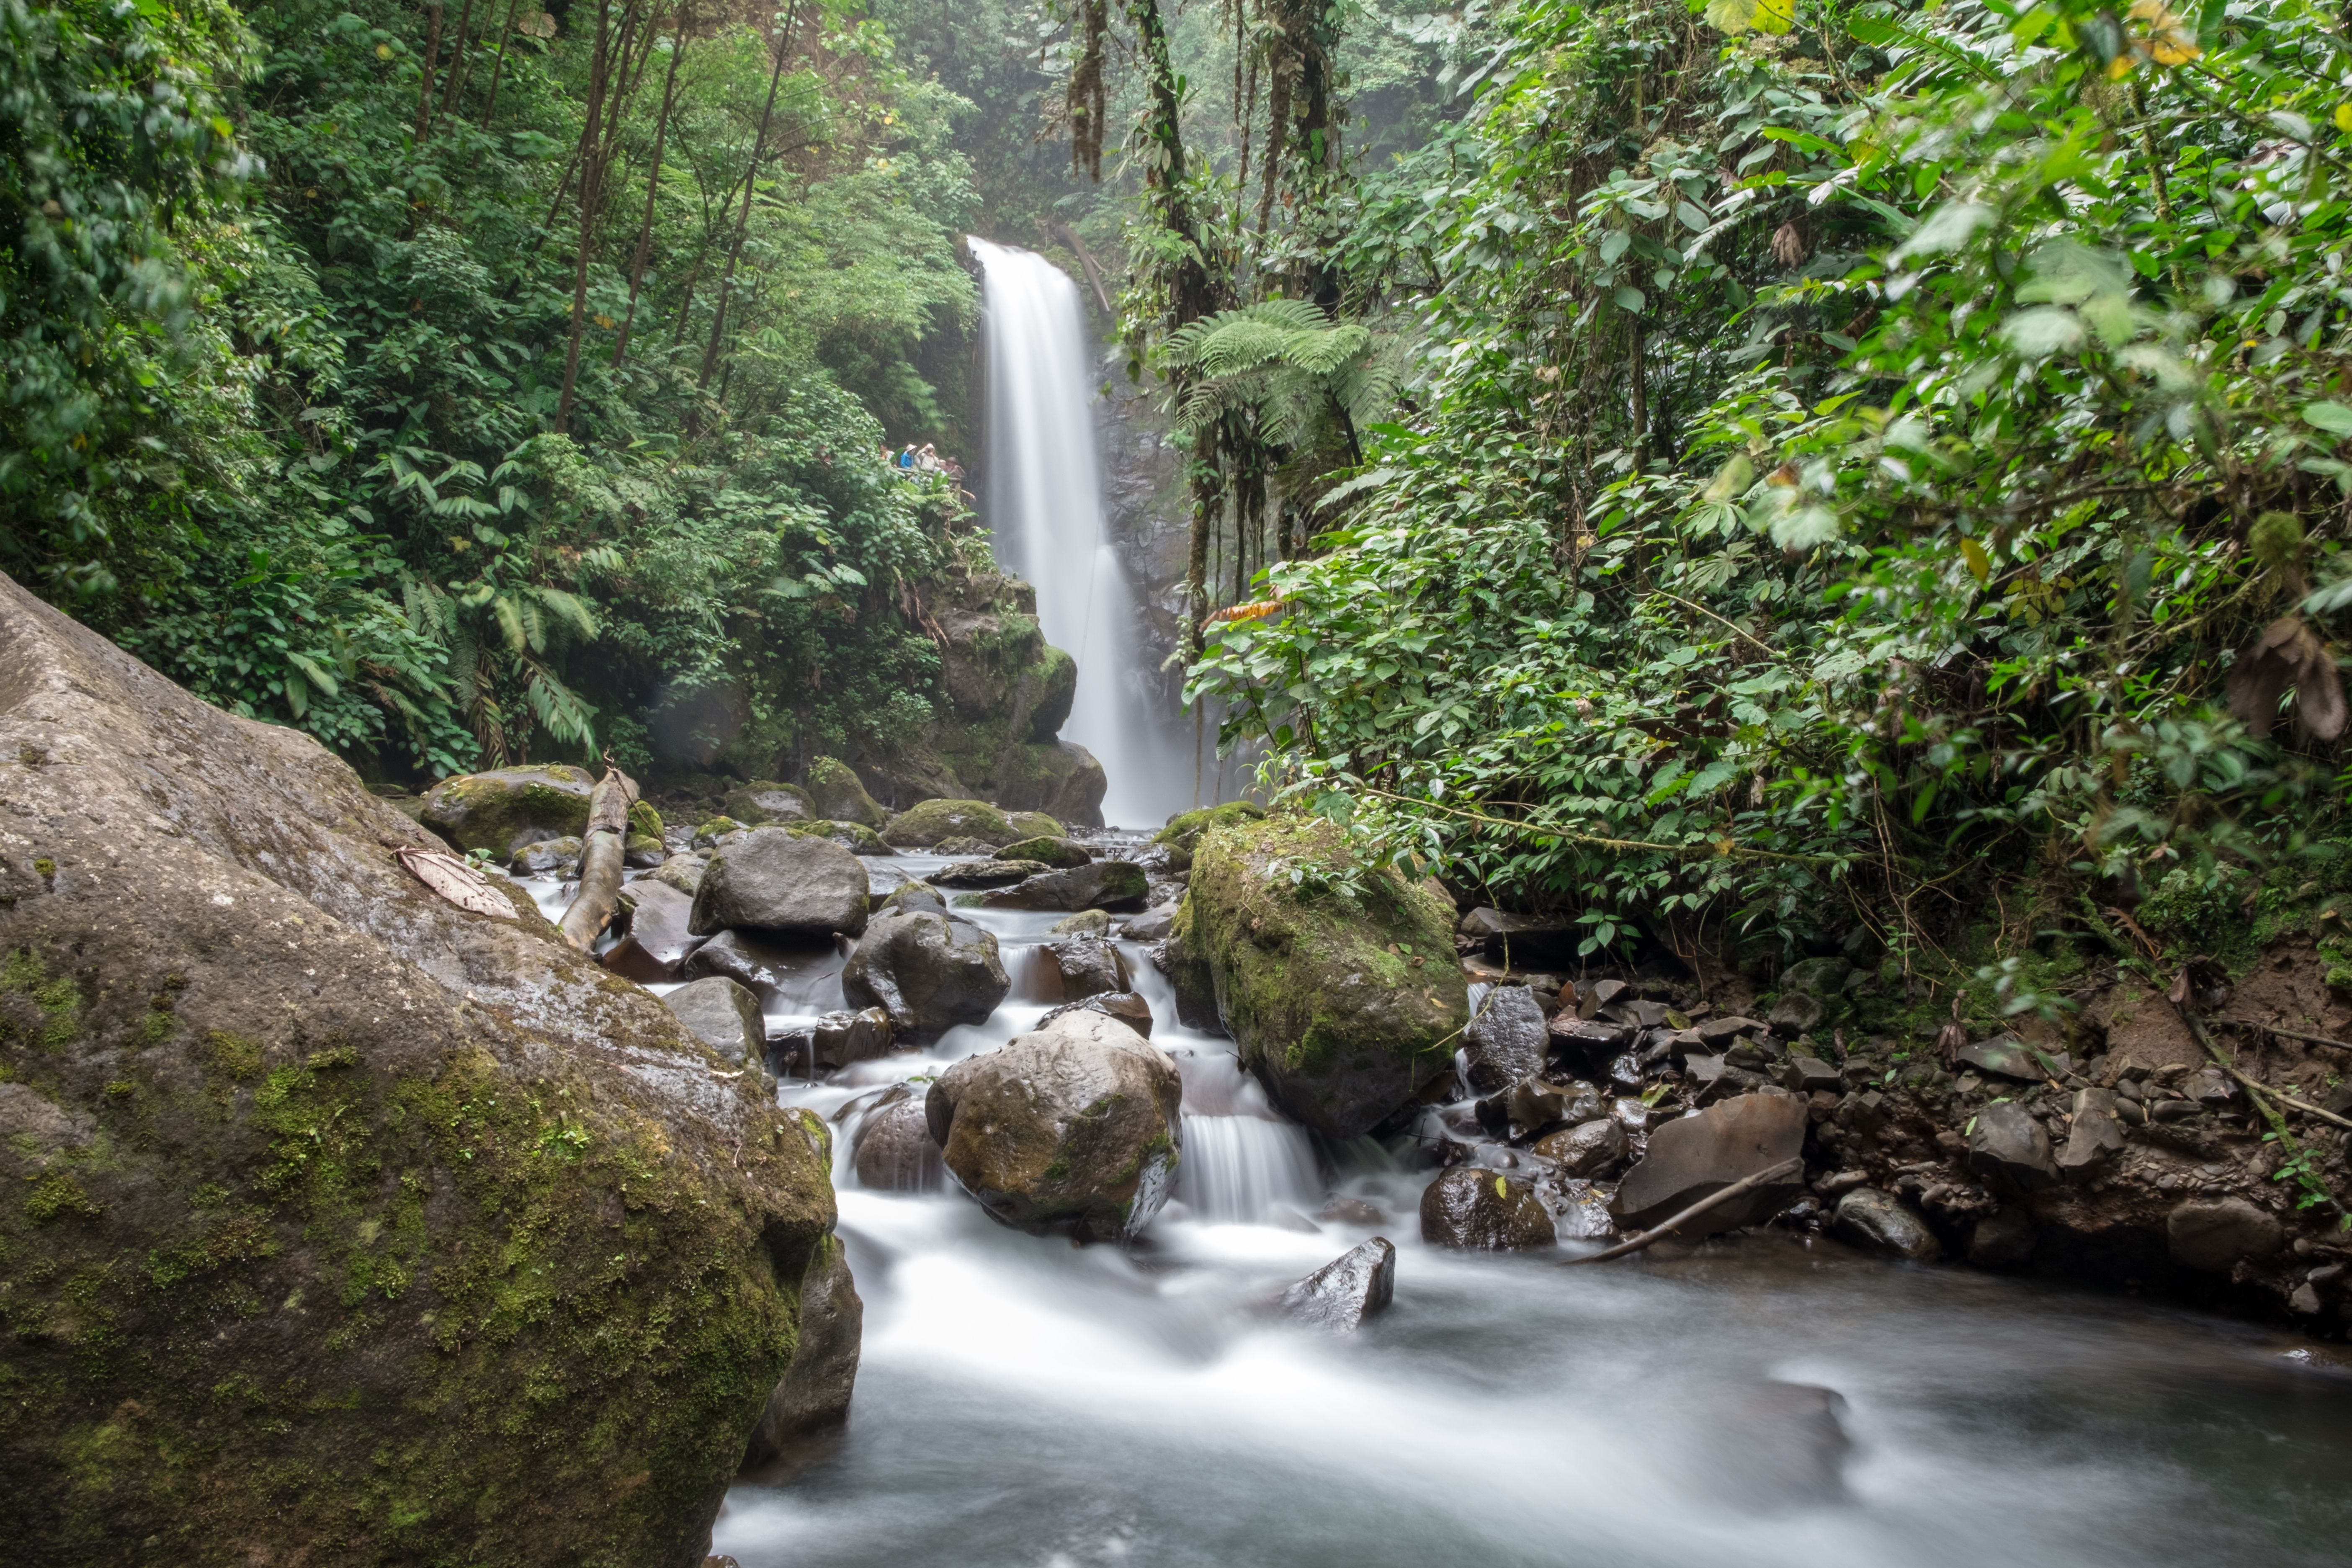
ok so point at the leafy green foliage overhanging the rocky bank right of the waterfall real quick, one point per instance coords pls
(1857, 450)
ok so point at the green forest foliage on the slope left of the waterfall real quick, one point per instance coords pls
(290, 347)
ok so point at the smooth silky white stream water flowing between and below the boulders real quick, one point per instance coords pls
(1024, 1402)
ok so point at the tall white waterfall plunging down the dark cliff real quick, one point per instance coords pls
(1045, 509)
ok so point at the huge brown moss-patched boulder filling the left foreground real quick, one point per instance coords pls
(345, 1226)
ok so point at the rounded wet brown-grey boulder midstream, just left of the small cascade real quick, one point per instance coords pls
(1069, 1130)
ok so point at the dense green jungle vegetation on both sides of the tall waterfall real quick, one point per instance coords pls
(1732, 469)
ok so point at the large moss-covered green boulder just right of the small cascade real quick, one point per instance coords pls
(1339, 986)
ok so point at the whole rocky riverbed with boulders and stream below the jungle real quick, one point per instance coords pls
(970, 1186)
